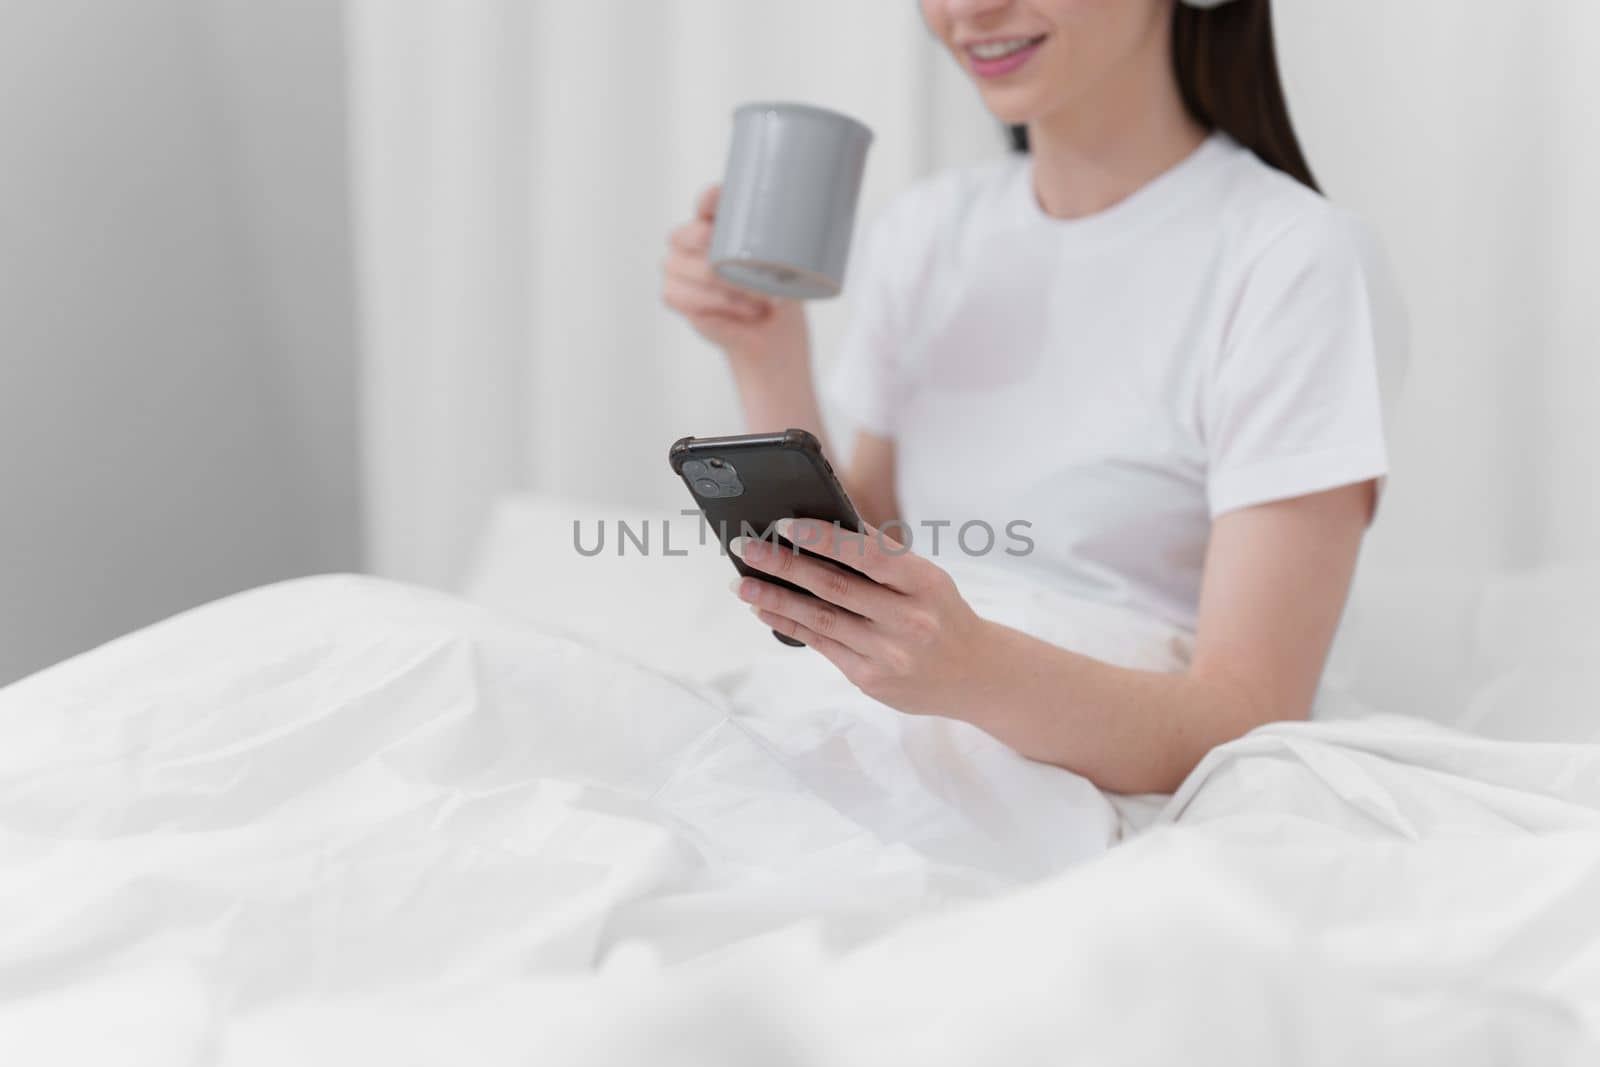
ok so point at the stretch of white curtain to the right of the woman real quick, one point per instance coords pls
(1466, 132)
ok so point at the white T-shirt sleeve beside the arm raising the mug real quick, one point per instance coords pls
(865, 383)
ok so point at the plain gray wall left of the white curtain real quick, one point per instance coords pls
(177, 343)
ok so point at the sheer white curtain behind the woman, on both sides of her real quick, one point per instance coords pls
(518, 166)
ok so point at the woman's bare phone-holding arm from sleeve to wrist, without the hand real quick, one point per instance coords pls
(1276, 583)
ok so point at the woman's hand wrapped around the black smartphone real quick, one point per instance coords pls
(902, 633)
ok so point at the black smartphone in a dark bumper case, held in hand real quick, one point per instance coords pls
(746, 484)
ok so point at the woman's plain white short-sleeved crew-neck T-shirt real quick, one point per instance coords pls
(1114, 382)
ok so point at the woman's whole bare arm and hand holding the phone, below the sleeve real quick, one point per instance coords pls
(1276, 581)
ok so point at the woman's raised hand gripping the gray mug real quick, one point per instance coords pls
(750, 327)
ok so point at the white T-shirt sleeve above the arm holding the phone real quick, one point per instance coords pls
(1294, 404)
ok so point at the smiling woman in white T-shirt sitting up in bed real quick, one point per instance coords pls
(1146, 334)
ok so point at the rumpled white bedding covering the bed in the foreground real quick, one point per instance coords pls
(346, 821)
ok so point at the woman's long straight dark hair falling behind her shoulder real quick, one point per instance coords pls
(1228, 73)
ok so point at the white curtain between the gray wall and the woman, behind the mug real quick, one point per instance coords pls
(518, 169)
